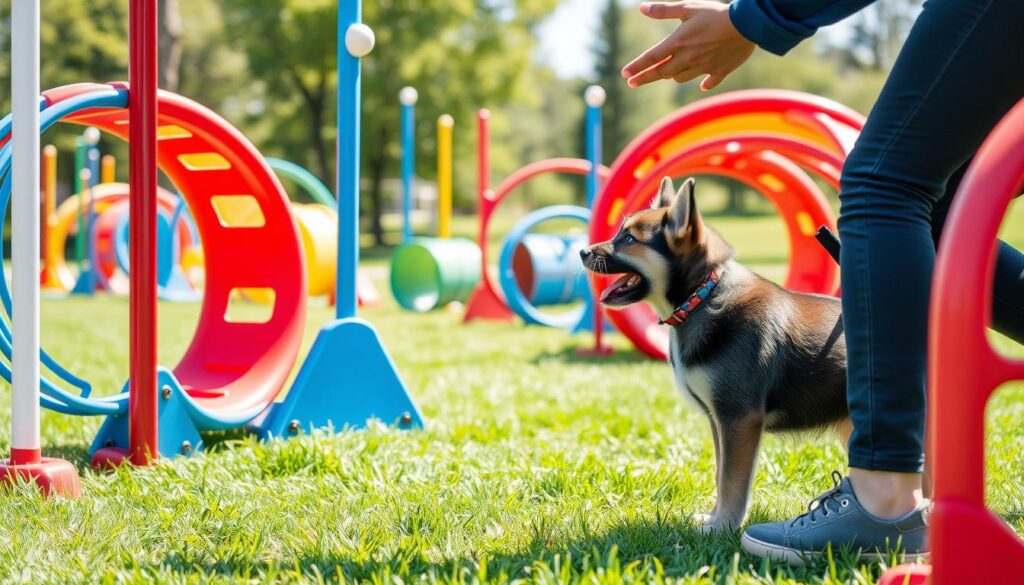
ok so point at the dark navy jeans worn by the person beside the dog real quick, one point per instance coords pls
(960, 72)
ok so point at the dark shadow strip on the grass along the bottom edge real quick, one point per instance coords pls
(642, 551)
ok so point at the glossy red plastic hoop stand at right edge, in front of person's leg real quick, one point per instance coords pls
(970, 545)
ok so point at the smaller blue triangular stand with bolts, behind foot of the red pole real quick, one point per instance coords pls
(179, 435)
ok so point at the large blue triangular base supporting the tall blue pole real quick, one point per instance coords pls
(348, 380)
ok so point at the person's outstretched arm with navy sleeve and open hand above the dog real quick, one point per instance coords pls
(713, 39)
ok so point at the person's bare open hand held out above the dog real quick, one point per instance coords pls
(705, 44)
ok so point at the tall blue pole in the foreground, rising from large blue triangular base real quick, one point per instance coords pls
(350, 14)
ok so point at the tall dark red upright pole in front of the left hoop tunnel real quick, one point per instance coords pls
(143, 169)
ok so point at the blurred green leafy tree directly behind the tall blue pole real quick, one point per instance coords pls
(459, 54)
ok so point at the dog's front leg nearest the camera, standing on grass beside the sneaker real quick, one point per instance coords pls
(740, 439)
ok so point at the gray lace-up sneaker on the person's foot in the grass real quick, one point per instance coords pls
(838, 518)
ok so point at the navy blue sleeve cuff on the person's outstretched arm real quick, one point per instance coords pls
(778, 26)
